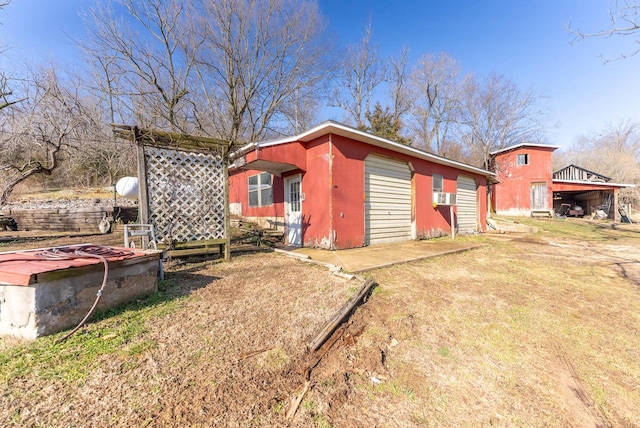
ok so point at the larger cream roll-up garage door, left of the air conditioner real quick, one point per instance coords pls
(387, 208)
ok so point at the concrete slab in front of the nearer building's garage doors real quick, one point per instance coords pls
(377, 256)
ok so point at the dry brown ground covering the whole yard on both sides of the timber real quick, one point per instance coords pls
(536, 330)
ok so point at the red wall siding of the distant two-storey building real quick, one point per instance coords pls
(513, 193)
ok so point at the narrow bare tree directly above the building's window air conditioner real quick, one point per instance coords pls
(435, 86)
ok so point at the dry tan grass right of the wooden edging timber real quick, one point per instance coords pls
(520, 333)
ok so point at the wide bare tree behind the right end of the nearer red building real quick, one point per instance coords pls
(495, 114)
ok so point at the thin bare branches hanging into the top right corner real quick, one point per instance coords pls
(625, 21)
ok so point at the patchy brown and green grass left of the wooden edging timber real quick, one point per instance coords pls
(176, 359)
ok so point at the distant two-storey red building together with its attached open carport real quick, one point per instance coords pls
(526, 185)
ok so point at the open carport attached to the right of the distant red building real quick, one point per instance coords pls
(587, 189)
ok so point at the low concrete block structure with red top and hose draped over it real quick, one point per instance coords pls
(40, 296)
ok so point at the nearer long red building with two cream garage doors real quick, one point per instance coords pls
(337, 187)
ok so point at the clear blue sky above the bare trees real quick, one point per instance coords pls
(525, 40)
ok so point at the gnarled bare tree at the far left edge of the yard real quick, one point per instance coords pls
(52, 118)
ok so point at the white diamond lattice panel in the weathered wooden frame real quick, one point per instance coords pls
(186, 195)
